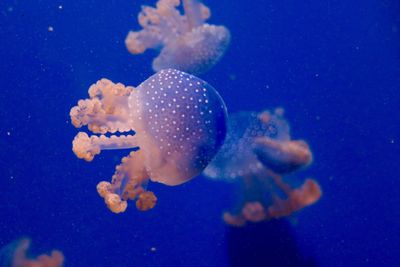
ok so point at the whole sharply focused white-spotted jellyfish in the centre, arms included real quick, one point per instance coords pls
(173, 122)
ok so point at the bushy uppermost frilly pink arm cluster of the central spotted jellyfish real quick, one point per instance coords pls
(107, 109)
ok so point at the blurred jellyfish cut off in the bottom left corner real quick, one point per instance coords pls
(16, 253)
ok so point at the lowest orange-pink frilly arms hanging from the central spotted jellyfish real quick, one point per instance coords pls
(128, 183)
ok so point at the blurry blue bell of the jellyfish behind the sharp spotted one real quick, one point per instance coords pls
(235, 158)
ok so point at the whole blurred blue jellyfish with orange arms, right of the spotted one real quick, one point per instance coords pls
(258, 154)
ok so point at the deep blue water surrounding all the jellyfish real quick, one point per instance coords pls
(333, 65)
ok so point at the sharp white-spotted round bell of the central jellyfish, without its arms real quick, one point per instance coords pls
(188, 130)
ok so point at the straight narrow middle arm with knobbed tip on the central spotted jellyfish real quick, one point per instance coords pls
(87, 147)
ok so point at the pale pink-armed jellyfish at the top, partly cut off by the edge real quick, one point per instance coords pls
(185, 41)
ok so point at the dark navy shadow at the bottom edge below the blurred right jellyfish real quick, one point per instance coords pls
(271, 243)
